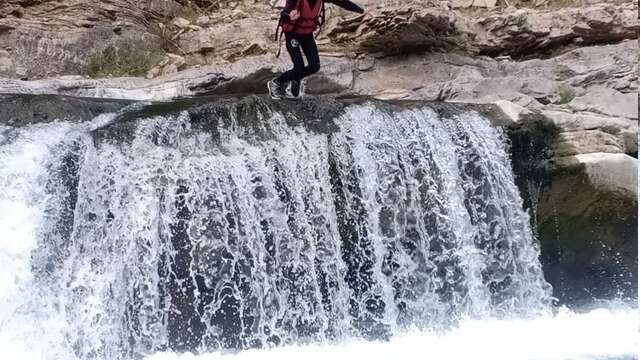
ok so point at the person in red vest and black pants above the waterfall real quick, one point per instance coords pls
(299, 20)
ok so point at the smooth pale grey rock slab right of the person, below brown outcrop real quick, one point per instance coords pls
(532, 83)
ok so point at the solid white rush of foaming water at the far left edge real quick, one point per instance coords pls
(24, 334)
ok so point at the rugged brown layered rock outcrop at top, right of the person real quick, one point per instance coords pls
(519, 32)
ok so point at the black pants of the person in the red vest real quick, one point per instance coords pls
(310, 49)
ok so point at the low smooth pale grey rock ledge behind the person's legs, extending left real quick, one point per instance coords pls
(248, 75)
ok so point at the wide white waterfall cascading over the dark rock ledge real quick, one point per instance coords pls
(239, 227)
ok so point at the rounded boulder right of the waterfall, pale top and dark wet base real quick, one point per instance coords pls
(588, 228)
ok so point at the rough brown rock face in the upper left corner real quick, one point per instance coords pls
(48, 37)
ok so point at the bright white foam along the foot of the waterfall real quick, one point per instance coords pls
(600, 334)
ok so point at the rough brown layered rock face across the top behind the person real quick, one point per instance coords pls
(49, 38)
